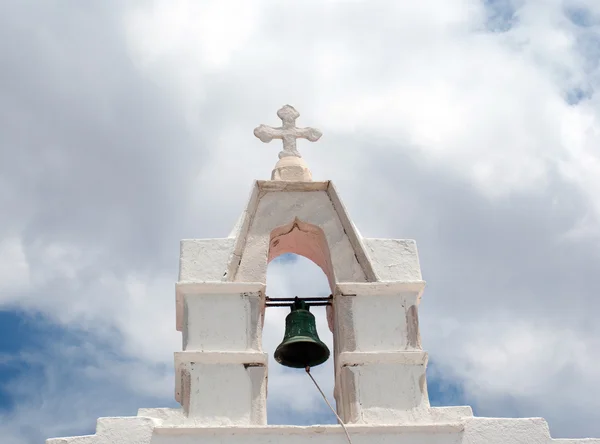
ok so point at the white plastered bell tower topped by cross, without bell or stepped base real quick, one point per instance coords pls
(376, 286)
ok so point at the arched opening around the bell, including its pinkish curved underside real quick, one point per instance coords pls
(292, 397)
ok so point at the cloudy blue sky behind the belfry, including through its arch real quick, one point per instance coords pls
(470, 126)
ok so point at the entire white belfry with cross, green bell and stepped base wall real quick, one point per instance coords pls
(221, 373)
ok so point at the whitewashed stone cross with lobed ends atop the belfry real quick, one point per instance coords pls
(288, 132)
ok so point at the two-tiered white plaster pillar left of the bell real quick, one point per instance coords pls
(221, 374)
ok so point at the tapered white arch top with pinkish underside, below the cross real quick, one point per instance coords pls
(315, 211)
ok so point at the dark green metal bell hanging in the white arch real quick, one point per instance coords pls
(301, 346)
